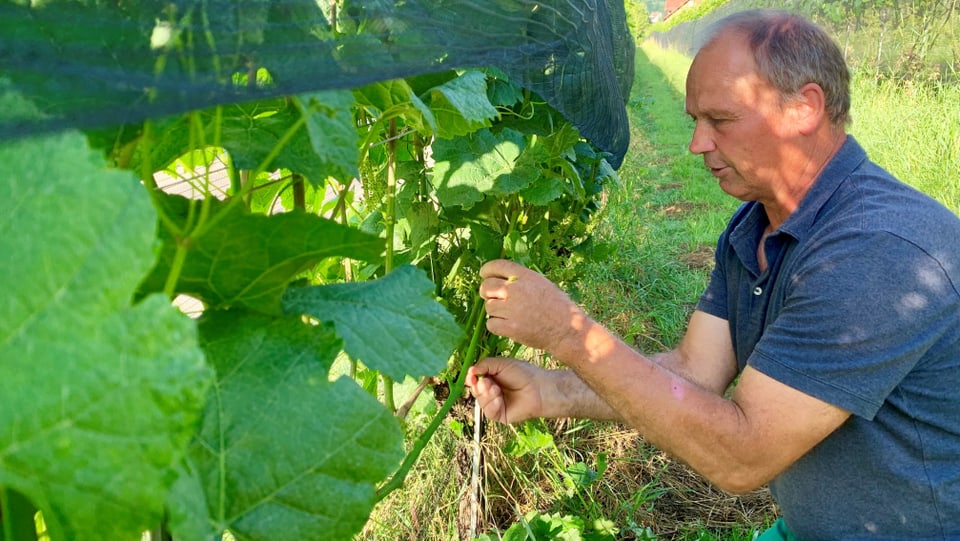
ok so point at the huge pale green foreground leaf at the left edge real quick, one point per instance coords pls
(98, 397)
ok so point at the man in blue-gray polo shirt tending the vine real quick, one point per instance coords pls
(834, 303)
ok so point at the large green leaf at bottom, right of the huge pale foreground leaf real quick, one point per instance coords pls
(284, 453)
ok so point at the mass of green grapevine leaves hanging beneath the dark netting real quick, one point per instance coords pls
(351, 227)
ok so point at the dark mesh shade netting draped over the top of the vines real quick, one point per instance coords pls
(98, 63)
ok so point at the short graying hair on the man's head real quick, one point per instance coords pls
(791, 51)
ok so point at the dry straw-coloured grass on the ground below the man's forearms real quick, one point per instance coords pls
(640, 489)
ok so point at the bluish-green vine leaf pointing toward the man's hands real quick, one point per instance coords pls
(393, 324)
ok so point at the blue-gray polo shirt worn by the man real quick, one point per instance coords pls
(859, 307)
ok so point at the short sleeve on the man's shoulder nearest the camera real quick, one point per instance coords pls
(860, 310)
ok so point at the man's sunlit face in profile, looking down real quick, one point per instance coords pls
(741, 128)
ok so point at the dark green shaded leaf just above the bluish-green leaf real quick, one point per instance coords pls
(248, 259)
